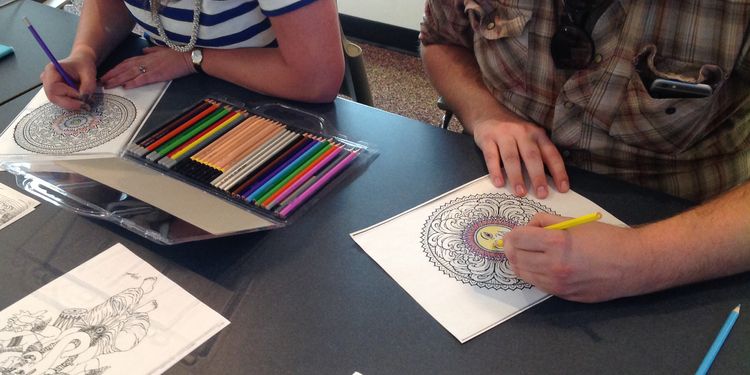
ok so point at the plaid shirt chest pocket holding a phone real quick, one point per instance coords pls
(665, 125)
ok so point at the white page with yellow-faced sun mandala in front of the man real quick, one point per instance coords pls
(443, 253)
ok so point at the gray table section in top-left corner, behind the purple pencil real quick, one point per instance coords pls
(19, 72)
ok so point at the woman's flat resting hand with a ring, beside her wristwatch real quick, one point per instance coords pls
(157, 64)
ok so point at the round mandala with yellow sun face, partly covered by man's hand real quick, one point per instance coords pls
(459, 238)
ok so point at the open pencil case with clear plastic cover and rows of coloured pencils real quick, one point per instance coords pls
(281, 162)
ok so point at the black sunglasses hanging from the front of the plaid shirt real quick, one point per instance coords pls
(572, 46)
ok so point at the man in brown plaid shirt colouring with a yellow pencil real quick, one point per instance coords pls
(541, 84)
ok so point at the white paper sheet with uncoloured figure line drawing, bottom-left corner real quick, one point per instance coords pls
(114, 314)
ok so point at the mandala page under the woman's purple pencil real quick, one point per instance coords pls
(45, 131)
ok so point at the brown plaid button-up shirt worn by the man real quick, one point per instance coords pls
(602, 118)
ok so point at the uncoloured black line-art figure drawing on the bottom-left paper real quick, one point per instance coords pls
(73, 343)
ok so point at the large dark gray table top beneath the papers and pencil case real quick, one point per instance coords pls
(306, 299)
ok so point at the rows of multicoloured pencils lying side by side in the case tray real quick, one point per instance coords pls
(253, 159)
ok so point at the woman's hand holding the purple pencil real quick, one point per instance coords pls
(81, 67)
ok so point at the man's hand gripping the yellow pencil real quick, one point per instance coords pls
(589, 263)
